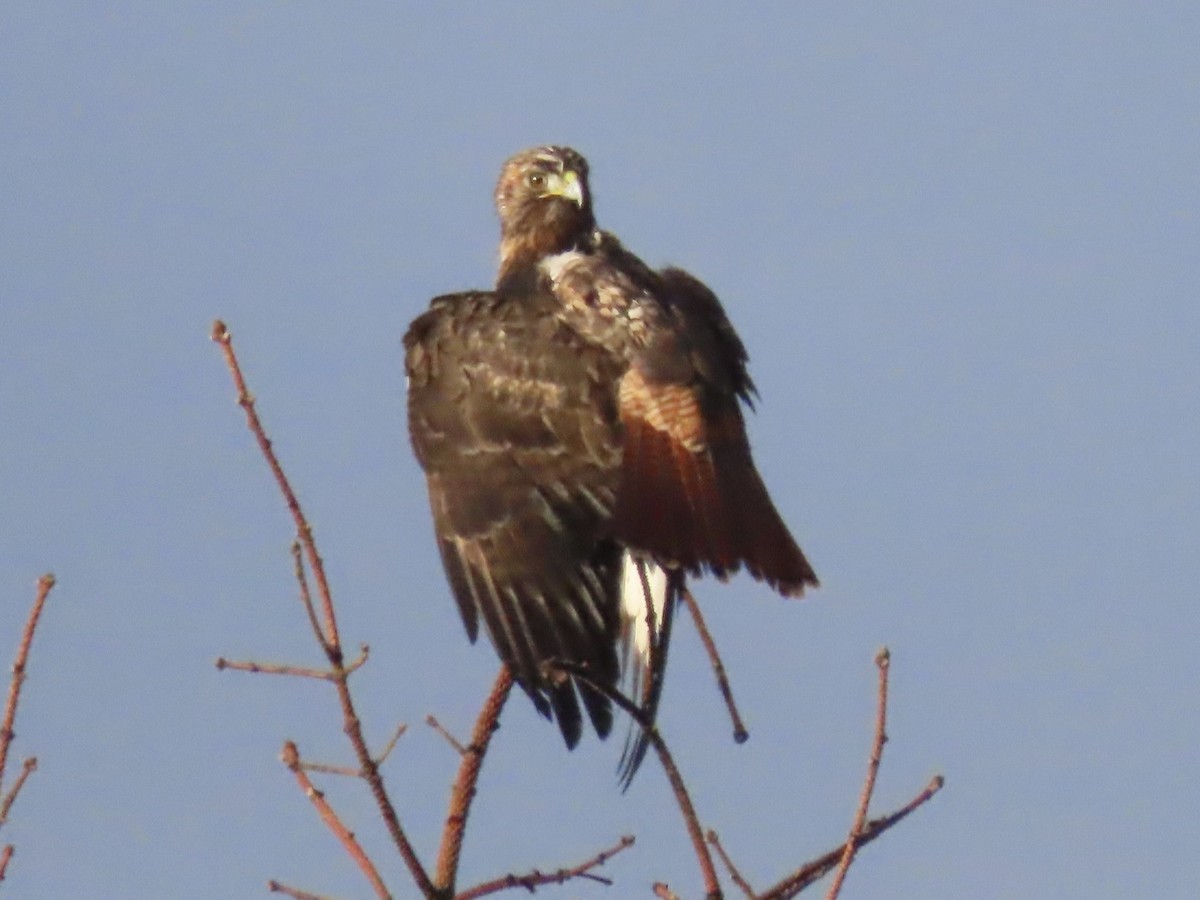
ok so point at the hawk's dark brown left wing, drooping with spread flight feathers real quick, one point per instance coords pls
(514, 419)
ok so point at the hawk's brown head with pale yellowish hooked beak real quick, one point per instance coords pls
(544, 203)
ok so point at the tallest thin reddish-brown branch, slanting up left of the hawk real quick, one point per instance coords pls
(331, 640)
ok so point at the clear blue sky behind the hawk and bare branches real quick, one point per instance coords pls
(962, 244)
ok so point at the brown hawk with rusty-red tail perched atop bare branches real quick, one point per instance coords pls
(581, 431)
